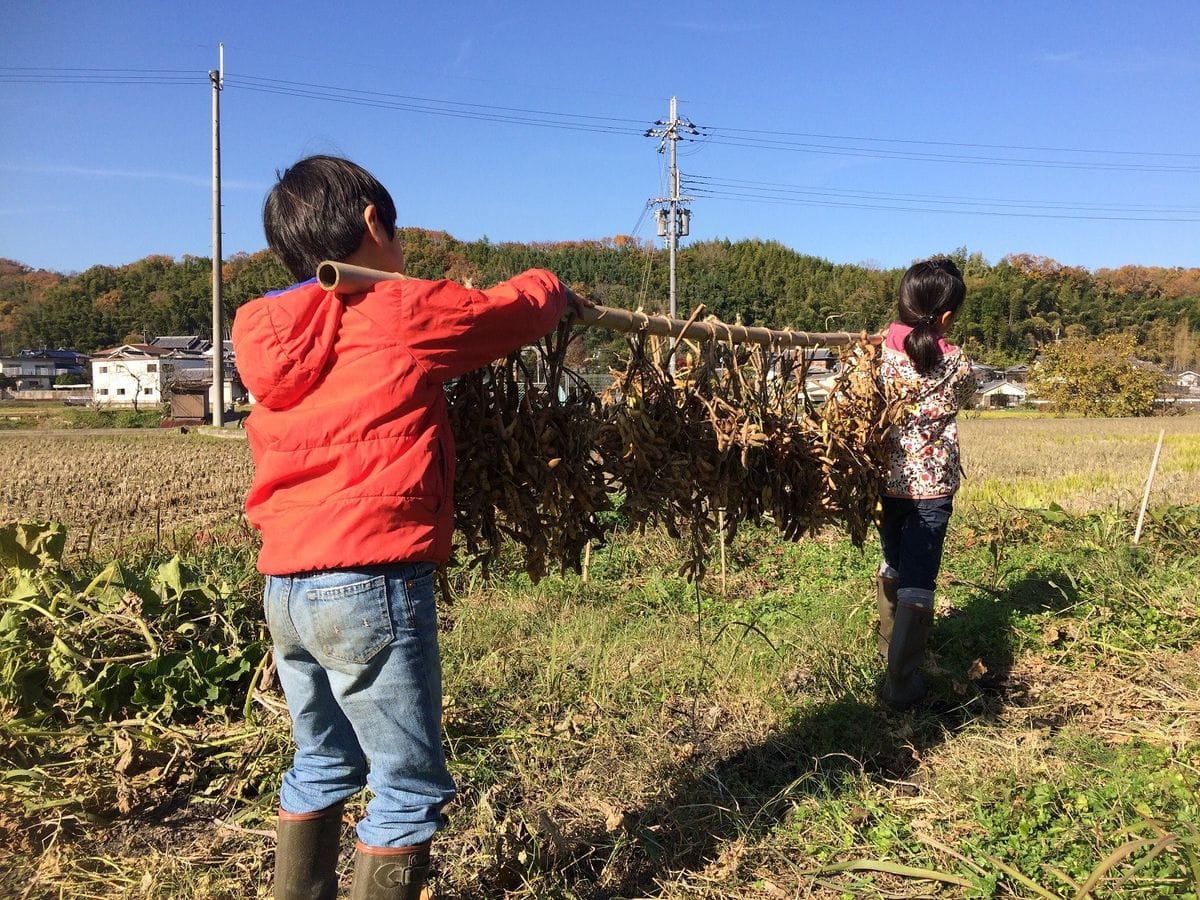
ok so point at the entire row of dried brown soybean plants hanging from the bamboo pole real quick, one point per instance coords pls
(729, 439)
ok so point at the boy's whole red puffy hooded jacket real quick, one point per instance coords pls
(353, 453)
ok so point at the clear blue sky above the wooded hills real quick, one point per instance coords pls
(855, 131)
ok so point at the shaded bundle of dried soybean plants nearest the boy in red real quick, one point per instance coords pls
(525, 430)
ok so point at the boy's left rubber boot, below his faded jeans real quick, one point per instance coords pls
(307, 855)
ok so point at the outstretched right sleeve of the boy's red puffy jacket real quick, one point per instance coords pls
(453, 331)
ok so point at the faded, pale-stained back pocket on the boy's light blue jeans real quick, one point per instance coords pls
(352, 622)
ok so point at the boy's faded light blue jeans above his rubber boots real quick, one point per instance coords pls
(357, 653)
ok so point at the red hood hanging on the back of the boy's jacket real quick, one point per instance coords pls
(284, 343)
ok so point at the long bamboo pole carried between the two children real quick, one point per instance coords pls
(345, 279)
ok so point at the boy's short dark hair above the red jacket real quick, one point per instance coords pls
(315, 213)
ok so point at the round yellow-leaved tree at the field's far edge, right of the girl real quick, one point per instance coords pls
(1097, 377)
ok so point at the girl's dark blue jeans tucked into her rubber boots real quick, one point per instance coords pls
(914, 533)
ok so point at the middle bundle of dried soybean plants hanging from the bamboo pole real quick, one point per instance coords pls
(723, 441)
